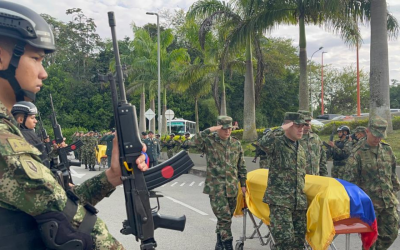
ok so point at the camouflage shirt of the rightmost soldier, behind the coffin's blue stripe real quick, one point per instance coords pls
(373, 169)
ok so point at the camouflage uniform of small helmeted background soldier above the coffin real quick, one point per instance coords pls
(339, 154)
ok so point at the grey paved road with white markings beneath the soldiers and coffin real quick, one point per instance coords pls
(182, 196)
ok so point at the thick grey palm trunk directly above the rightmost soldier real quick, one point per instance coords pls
(379, 64)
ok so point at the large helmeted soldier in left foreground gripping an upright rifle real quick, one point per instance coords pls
(30, 196)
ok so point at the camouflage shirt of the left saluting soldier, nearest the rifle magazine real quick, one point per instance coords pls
(225, 163)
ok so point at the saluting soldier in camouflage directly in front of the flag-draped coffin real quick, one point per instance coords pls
(284, 194)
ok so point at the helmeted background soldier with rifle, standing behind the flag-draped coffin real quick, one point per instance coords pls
(339, 151)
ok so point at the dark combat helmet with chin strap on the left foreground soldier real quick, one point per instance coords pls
(26, 27)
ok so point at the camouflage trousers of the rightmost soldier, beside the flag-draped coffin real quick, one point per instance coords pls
(388, 226)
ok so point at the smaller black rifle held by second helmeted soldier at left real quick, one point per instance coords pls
(64, 165)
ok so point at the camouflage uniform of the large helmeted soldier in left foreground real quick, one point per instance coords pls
(28, 186)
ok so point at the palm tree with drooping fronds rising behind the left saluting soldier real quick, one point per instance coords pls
(230, 18)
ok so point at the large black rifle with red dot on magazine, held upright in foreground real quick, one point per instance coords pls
(142, 220)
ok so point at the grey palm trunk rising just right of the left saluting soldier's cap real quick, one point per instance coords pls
(249, 116)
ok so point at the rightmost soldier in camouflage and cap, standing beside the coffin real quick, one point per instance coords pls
(372, 166)
